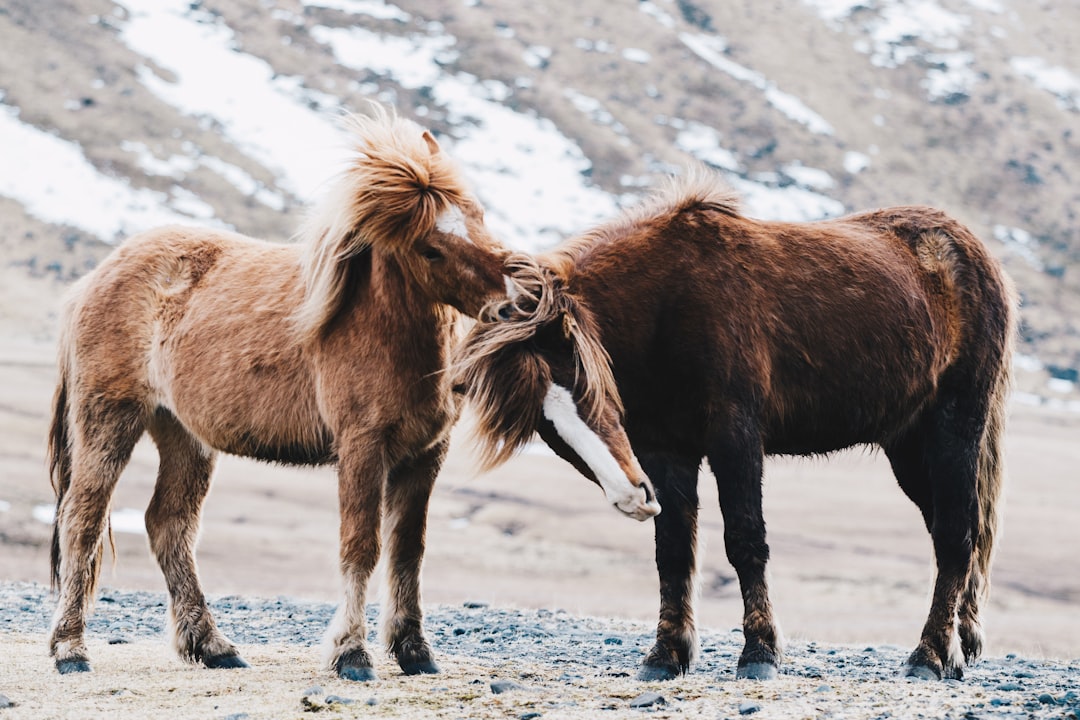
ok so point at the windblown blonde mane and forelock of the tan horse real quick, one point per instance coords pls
(390, 196)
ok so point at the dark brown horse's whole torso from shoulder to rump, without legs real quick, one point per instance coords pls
(826, 334)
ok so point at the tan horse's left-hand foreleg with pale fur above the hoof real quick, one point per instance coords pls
(362, 473)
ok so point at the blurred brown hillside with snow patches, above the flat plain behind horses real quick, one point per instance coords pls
(120, 116)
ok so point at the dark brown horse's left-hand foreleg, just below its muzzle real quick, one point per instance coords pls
(676, 481)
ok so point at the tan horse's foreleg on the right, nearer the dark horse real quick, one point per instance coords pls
(409, 491)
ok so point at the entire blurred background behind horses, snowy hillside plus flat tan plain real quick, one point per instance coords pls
(121, 116)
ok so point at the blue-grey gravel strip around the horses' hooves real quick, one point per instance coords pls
(589, 655)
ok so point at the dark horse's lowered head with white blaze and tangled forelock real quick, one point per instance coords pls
(534, 363)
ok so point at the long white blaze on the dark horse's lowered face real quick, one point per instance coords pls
(560, 410)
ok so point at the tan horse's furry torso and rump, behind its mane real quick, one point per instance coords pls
(197, 323)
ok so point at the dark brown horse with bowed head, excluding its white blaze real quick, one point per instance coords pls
(732, 339)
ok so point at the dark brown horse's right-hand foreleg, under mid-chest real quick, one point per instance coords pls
(738, 467)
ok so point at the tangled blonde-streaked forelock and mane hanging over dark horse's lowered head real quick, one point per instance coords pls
(497, 352)
